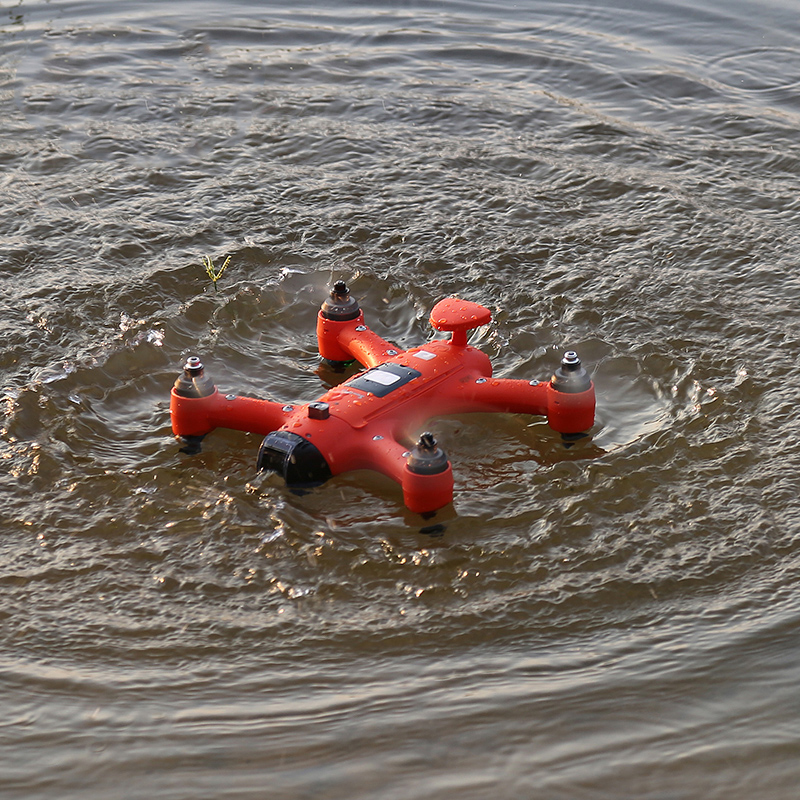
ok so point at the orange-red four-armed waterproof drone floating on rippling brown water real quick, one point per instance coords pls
(365, 422)
